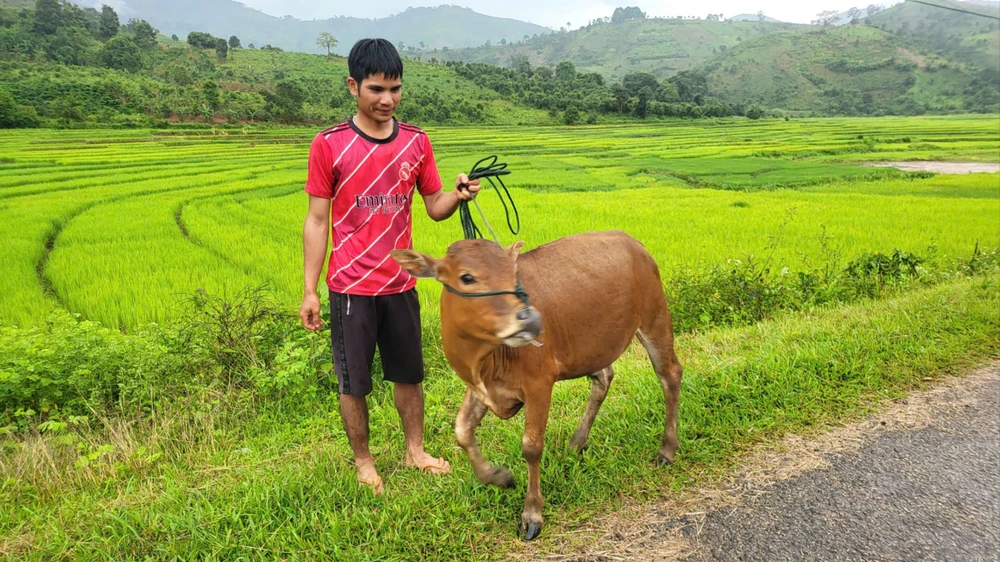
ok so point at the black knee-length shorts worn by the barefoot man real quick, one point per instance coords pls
(359, 323)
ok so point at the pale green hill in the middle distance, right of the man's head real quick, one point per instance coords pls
(661, 47)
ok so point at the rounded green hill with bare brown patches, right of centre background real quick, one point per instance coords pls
(846, 70)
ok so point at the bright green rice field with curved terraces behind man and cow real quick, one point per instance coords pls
(116, 226)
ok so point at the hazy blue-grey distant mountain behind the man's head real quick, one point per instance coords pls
(444, 26)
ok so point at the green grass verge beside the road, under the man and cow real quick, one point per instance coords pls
(199, 481)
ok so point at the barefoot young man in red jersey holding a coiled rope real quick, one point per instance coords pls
(362, 178)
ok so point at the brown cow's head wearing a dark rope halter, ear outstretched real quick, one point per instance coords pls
(473, 271)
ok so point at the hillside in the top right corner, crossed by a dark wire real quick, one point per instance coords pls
(963, 37)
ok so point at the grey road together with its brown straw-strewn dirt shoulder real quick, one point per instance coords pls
(919, 481)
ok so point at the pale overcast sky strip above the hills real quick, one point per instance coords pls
(555, 13)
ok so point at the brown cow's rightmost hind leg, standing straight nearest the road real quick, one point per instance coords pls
(657, 338)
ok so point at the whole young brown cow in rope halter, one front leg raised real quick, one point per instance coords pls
(590, 294)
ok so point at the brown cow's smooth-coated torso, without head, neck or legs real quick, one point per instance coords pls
(591, 290)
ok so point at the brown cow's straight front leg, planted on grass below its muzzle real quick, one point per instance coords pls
(536, 415)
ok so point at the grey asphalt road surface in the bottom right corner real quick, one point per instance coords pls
(927, 494)
